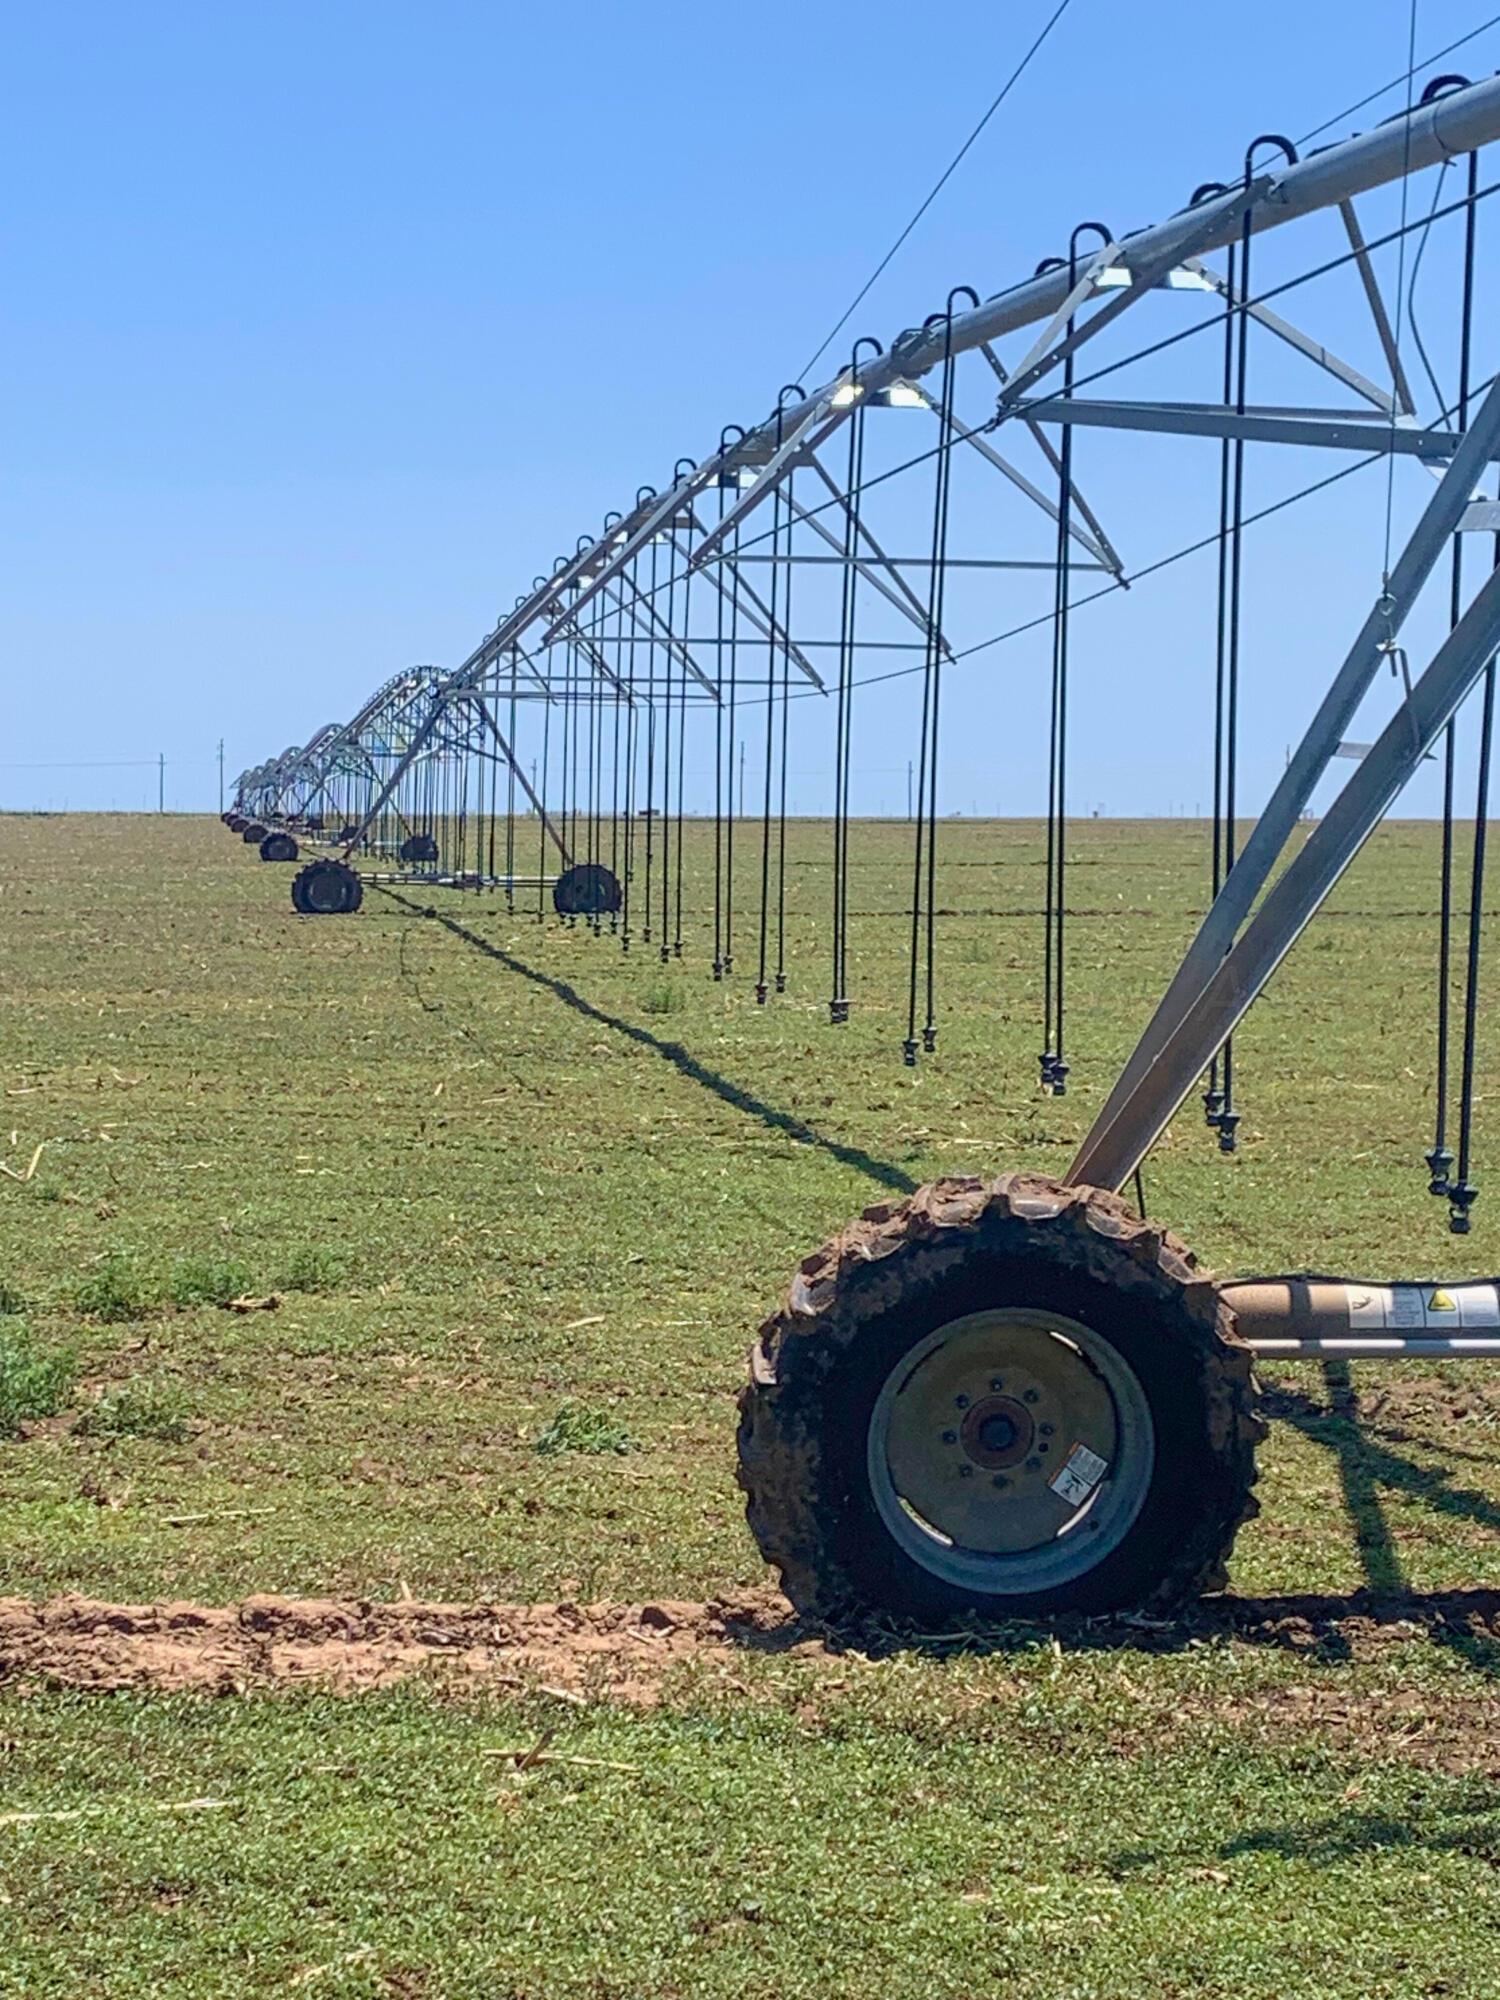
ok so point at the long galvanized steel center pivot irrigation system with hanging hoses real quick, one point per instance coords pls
(1011, 1397)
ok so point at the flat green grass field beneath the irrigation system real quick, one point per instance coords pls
(519, 1191)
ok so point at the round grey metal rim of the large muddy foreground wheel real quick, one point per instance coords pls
(1011, 1451)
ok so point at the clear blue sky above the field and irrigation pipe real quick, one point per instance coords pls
(327, 327)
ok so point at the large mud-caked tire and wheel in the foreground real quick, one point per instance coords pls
(999, 1401)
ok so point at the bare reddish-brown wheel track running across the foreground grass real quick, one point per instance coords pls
(617, 1649)
